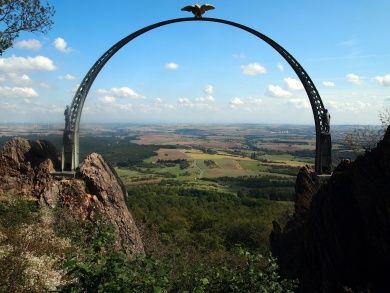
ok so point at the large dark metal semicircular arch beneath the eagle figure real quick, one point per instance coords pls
(70, 155)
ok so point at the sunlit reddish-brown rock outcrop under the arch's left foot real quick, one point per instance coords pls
(25, 168)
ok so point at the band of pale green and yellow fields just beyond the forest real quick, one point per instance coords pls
(192, 164)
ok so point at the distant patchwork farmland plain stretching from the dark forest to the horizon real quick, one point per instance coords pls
(225, 157)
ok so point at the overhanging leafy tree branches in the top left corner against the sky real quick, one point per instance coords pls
(23, 15)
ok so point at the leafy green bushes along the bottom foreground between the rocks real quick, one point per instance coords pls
(98, 267)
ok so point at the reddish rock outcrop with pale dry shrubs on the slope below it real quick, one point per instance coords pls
(44, 218)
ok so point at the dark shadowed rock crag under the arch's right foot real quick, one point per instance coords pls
(339, 238)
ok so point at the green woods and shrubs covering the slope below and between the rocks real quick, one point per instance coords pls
(196, 241)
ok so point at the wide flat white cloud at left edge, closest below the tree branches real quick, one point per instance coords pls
(14, 64)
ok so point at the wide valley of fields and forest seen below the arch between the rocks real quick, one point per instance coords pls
(206, 190)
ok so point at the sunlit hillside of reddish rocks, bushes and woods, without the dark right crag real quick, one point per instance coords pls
(76, 234)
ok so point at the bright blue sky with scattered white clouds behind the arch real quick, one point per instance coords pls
(203, 72)
